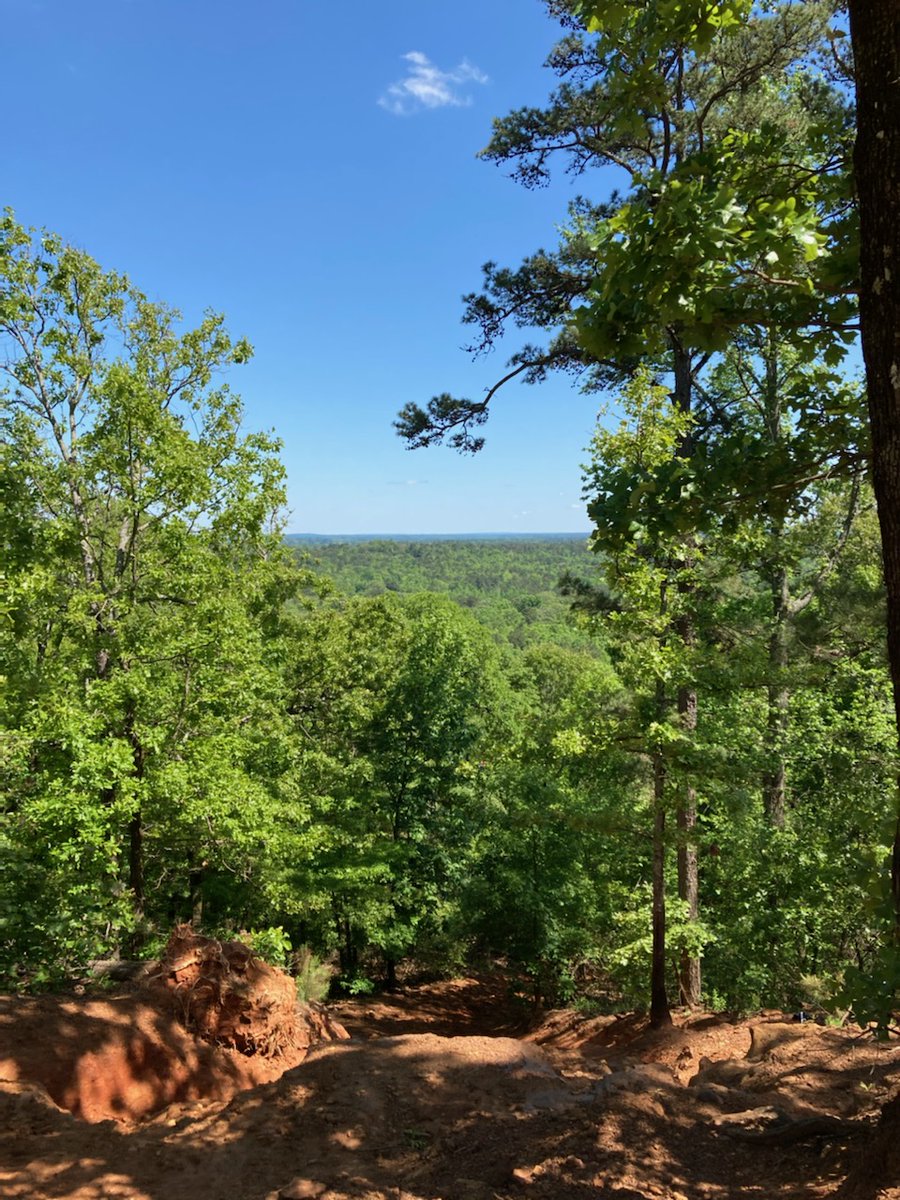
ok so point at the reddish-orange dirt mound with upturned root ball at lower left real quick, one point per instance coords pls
(221, 1024)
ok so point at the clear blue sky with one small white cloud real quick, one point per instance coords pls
(310, 171)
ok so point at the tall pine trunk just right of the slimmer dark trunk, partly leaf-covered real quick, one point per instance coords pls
(687, 812)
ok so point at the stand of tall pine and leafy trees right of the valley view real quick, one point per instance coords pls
(730, 509)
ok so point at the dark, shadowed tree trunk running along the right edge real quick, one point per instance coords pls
(875, 33)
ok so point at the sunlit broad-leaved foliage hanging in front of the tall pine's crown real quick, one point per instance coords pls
(705, 251)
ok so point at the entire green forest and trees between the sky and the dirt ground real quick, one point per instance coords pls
(671, 778)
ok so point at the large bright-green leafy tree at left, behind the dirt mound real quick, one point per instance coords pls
(145, 596)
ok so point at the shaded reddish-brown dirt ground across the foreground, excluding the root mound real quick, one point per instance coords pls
(445, 1093)
